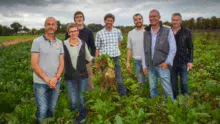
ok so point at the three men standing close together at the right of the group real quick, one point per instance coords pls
(161, 52)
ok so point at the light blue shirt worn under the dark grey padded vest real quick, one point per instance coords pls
(172, 48)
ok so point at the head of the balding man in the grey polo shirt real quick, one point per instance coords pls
(50, 26)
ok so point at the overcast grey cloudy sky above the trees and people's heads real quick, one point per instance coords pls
(32, 13)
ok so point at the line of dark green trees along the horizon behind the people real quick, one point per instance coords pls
(193, 24)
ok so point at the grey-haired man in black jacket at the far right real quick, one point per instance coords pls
(184, 56)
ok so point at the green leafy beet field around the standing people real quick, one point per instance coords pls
(105, 106)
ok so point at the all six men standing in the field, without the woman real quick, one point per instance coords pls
(157, 50)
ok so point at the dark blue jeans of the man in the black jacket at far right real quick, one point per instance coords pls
(181, 71)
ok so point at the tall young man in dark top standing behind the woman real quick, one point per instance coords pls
(87, 36)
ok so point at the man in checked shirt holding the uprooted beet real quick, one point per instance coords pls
(107, 42)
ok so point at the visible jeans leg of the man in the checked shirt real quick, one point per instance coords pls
(118, 76)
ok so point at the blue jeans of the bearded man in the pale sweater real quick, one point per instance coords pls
(139, 72)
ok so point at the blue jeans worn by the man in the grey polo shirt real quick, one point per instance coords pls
(46, 99)
